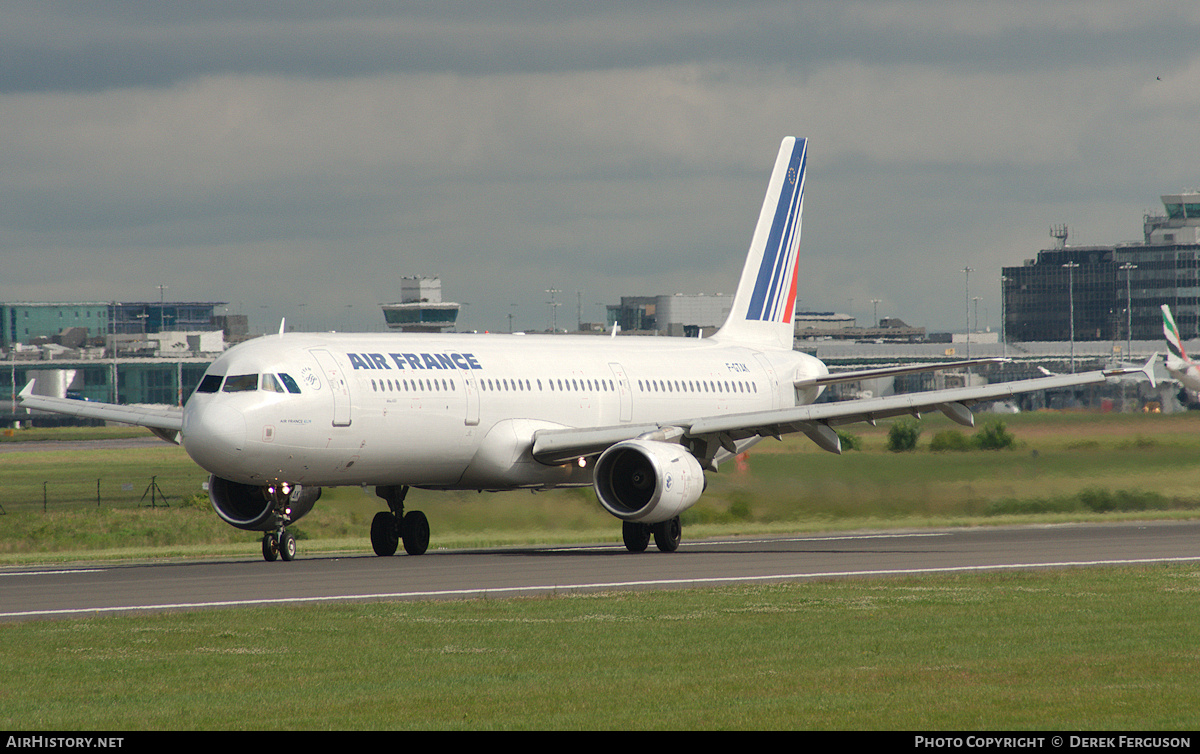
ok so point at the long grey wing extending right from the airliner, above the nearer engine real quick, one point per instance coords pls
(815, 421)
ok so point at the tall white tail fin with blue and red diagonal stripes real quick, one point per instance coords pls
(765, 306)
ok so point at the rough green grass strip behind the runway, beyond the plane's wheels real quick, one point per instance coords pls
(1064, 466)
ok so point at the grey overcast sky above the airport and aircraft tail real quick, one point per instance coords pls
(298, 159)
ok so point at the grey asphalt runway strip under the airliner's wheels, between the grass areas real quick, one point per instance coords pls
(81, 591)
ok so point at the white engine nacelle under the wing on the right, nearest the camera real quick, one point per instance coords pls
(647, 482)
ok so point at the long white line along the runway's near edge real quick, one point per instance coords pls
(572, 588)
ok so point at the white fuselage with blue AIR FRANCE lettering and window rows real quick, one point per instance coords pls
(459, 411)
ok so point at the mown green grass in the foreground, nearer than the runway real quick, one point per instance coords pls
(1066, 650)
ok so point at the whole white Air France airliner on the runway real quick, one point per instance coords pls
(640, 420)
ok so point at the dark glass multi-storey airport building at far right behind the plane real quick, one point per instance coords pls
(1115, 292)
